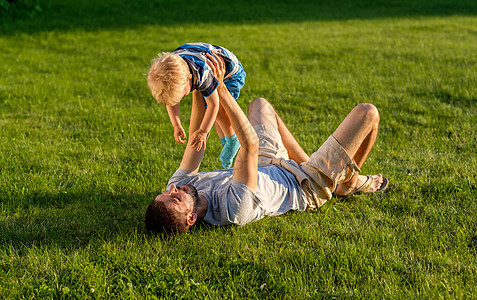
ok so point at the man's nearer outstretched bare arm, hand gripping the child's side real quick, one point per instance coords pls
(246, 163)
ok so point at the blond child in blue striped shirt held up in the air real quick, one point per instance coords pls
(173, 76)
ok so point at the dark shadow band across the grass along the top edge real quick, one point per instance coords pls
(119, 14)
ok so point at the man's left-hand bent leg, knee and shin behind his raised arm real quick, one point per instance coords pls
(262, 112)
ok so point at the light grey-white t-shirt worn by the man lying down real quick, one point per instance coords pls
(231, 202)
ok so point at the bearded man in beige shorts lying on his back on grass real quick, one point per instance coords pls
(271, 175)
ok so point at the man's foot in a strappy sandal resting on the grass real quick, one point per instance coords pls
(366, 184)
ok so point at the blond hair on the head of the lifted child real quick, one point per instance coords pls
(167, 78)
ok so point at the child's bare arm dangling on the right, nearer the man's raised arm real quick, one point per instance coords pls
(199, 137)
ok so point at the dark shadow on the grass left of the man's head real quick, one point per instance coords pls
(74, 220)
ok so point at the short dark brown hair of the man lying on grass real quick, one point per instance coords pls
(160, 219)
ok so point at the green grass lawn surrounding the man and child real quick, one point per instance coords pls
(84, 148)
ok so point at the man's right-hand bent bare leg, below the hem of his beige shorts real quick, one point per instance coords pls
(357, 135)
